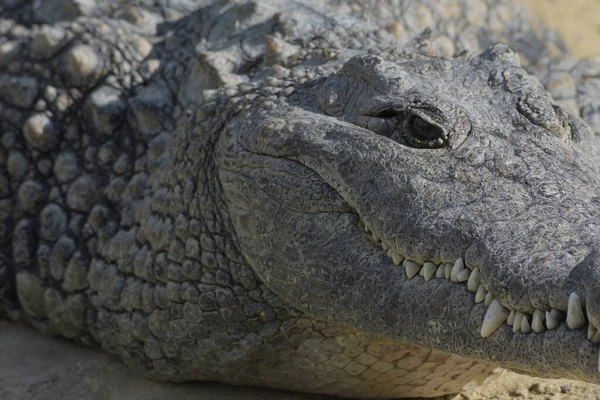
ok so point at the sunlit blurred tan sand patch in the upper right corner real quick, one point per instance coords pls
(578, 22)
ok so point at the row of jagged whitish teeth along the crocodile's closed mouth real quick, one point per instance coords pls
(497, 314)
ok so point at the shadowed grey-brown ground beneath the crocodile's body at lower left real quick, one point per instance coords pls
(34, 366)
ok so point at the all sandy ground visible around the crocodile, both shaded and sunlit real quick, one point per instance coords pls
(33, 366)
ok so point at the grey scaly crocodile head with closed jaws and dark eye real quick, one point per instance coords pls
(446, 203)
